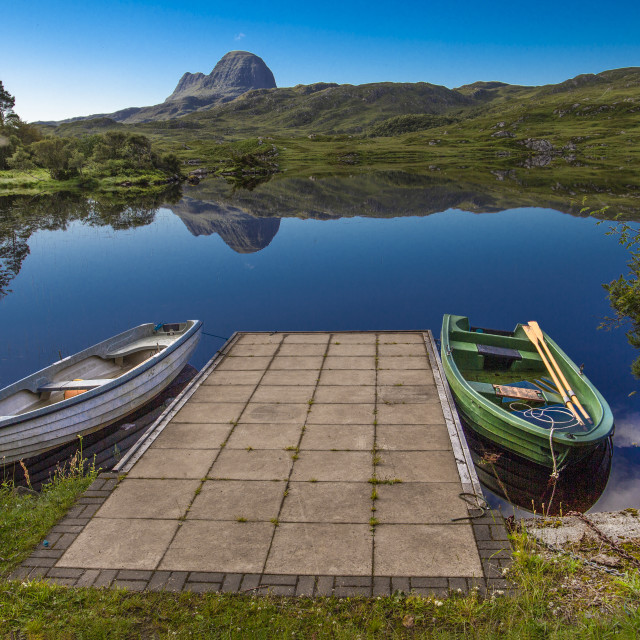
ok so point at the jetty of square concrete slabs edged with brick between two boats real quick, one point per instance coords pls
(297, 463)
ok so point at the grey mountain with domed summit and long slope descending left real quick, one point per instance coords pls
(235, 73)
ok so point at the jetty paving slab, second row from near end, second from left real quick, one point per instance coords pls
(234, 499)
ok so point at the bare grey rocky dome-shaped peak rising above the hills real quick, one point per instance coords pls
(235, 73)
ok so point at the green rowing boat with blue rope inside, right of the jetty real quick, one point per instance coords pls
(501, 387)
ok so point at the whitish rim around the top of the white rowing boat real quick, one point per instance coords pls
(7, 421)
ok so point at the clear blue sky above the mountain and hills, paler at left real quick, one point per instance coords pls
(67, 58)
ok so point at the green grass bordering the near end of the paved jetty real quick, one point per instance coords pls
(556, 597)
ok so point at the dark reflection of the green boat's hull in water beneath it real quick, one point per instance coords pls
(527, 485)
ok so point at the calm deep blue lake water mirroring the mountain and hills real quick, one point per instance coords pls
(345, 262)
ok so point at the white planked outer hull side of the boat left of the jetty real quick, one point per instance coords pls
(25, 437)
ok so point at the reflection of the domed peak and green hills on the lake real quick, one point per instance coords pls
(247, 219)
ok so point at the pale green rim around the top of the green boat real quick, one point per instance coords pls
(589, 438)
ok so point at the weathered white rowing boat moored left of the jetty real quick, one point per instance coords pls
(93, 388)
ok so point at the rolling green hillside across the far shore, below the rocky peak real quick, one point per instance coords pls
(584, 131)
